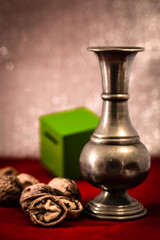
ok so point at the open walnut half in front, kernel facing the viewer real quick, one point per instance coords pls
(47, 210)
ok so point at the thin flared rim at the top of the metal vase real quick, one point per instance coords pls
(125, 49)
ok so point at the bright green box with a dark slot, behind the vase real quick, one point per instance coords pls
(62, 137)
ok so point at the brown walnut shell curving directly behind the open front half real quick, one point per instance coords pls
(32, 192)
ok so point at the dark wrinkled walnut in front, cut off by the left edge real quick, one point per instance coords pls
(10, 191)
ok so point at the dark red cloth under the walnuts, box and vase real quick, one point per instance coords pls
(14, 225)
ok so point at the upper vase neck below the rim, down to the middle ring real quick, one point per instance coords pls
(115, 71)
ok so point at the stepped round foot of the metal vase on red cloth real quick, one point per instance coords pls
(114, 205)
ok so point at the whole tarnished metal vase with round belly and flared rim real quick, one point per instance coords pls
(114, 159)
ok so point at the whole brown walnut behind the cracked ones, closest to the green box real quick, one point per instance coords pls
(65, 187)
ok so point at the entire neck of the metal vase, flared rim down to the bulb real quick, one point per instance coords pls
(115, 126)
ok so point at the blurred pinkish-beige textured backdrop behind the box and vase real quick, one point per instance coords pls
(45, 67)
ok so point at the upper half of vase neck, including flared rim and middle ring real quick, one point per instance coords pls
(115, 65)
